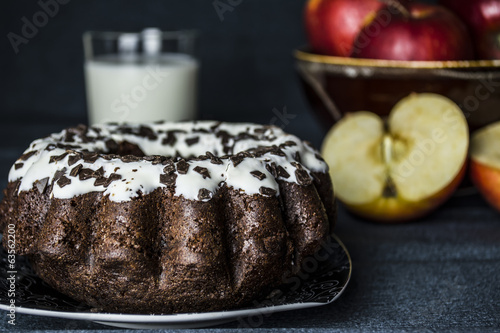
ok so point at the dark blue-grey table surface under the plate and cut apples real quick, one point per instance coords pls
(441, 273)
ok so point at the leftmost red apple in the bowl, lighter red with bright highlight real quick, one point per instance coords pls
(332, 25)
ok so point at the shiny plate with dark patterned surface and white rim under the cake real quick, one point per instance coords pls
(323, 279)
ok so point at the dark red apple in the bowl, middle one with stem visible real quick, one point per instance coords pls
(414, 31)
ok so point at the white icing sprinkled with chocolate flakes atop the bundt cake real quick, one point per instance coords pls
(144, 176)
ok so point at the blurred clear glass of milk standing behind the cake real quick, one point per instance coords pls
(141, 77)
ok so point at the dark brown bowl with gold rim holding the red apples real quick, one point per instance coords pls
(337, 85)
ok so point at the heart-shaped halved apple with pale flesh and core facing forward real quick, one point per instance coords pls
(402, 168)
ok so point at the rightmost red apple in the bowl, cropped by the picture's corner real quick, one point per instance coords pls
(483, 19)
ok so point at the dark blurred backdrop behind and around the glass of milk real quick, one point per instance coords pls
(247, 63)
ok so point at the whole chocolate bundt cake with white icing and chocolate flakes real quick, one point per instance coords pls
(168, 217)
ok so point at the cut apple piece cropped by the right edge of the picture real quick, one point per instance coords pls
(485, 162)
